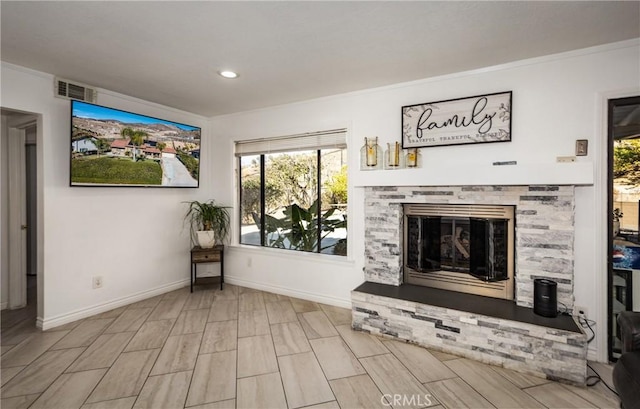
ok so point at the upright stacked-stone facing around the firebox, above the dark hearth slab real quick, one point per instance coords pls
(544, 218)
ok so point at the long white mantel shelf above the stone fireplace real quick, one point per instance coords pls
(572, 173)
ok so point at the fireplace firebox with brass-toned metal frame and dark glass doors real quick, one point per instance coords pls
(465, 248)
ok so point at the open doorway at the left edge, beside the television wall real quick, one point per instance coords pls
(19, 212)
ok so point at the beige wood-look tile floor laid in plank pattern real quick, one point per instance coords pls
(250, 349)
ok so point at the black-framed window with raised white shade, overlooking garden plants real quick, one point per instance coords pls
(293, 192)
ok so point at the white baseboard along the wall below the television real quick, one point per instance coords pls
(52, 322)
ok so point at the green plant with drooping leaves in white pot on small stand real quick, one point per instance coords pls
(209, 222)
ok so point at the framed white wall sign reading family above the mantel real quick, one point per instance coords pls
(483, 118)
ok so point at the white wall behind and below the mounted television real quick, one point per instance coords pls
(133, 237)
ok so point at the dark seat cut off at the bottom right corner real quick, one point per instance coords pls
(626, 372)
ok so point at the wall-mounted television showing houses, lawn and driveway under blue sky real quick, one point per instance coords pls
(110, 147)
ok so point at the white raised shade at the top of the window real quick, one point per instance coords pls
(333, 139)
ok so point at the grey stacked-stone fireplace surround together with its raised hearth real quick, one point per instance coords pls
(551, 348)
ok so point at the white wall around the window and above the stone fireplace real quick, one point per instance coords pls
(556, 100)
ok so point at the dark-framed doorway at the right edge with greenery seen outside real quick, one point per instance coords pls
(624, 214)
